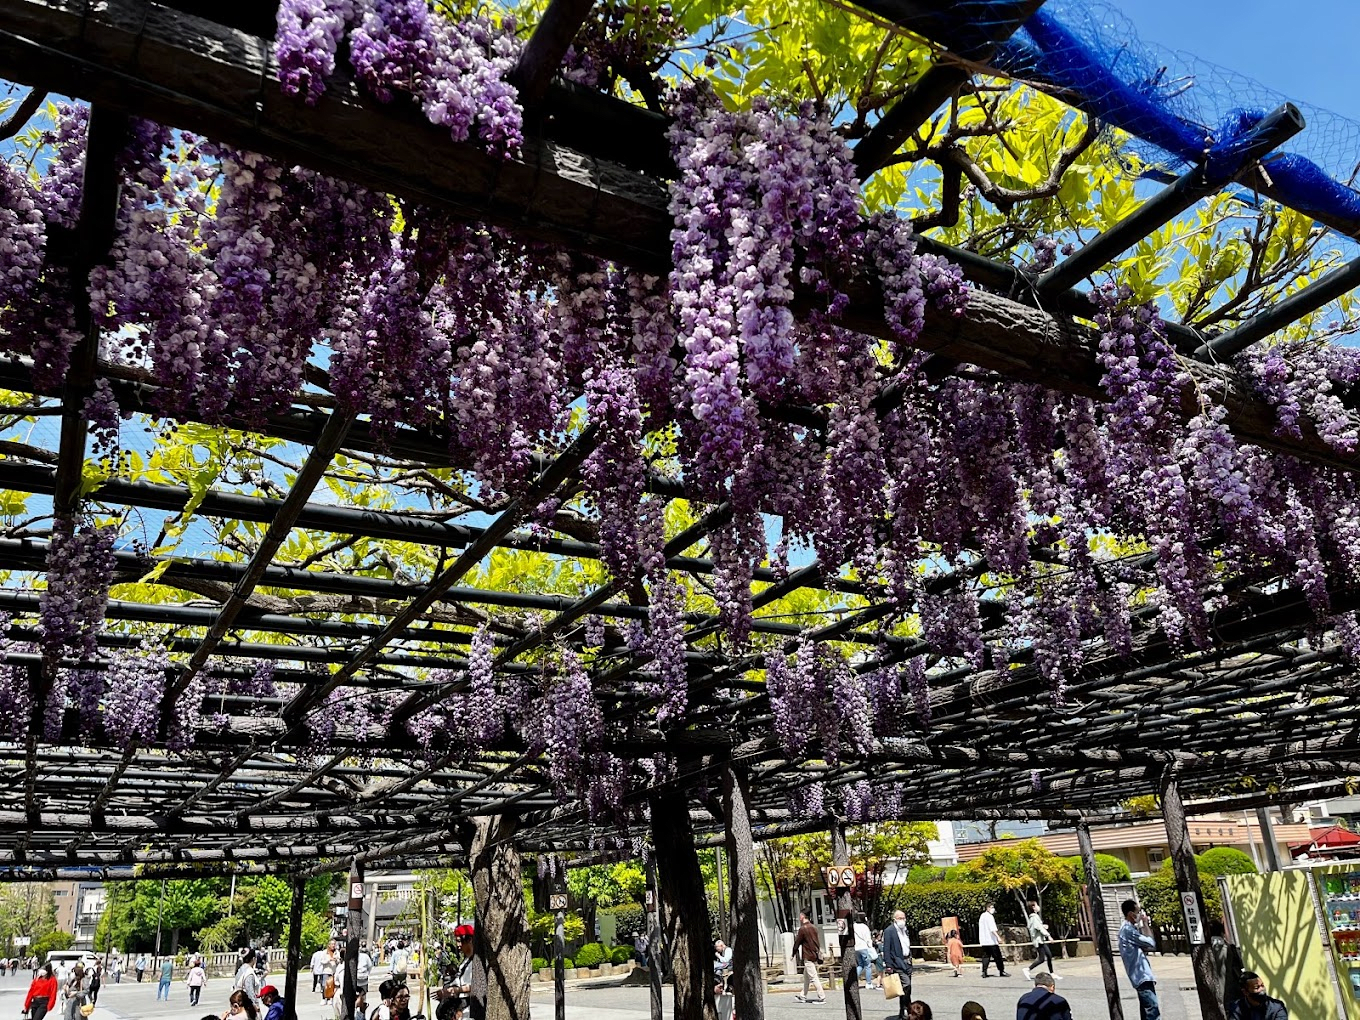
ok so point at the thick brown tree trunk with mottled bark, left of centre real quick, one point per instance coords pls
(503, 930)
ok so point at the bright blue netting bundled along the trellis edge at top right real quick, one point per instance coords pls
(1180, 109)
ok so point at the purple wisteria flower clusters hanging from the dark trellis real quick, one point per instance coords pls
(231, 271)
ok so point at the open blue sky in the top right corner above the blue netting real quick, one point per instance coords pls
(1305, 50)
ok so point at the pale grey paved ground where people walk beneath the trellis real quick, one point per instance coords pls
(605, 1000)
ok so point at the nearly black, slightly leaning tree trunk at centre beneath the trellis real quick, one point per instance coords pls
(689, 931)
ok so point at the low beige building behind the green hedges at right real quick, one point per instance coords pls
(1142, 844)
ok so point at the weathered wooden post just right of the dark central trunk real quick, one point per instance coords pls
(747, 980)
